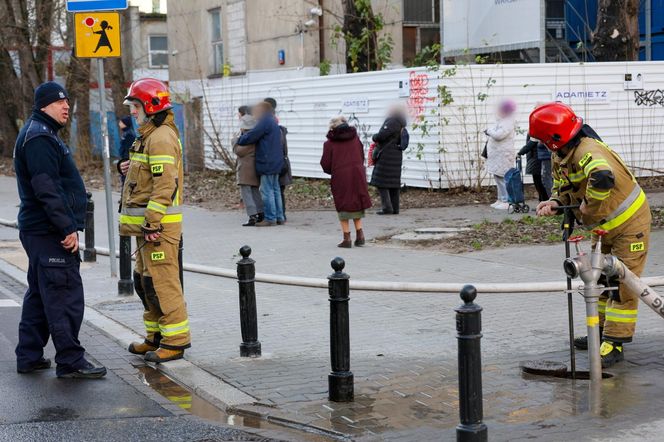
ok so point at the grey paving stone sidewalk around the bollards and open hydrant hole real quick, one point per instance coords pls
(403, 344)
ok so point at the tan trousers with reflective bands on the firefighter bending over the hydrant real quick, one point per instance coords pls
(629, 243)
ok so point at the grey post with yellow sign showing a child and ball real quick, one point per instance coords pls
(97, 35)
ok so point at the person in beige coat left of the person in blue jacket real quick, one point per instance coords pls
(246, 174)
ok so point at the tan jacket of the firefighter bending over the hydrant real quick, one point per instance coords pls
(593, 173)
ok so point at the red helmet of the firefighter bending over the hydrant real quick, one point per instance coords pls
(554, 124)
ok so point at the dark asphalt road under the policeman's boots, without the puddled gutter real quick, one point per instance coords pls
(41, 407)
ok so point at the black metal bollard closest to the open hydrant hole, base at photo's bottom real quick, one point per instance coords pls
(469, 333)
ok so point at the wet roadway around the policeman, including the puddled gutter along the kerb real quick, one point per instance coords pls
(132, 403)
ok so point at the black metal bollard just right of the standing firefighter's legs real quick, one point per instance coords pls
(246, 272)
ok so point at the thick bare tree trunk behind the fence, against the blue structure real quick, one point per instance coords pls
(616, 37)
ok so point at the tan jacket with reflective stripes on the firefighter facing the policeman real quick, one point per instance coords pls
(152, 193)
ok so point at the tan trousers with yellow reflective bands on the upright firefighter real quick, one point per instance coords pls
(167, 314)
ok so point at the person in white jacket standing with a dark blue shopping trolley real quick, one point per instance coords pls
(500, 149)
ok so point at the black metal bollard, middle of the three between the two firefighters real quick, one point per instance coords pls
(340, 379)
